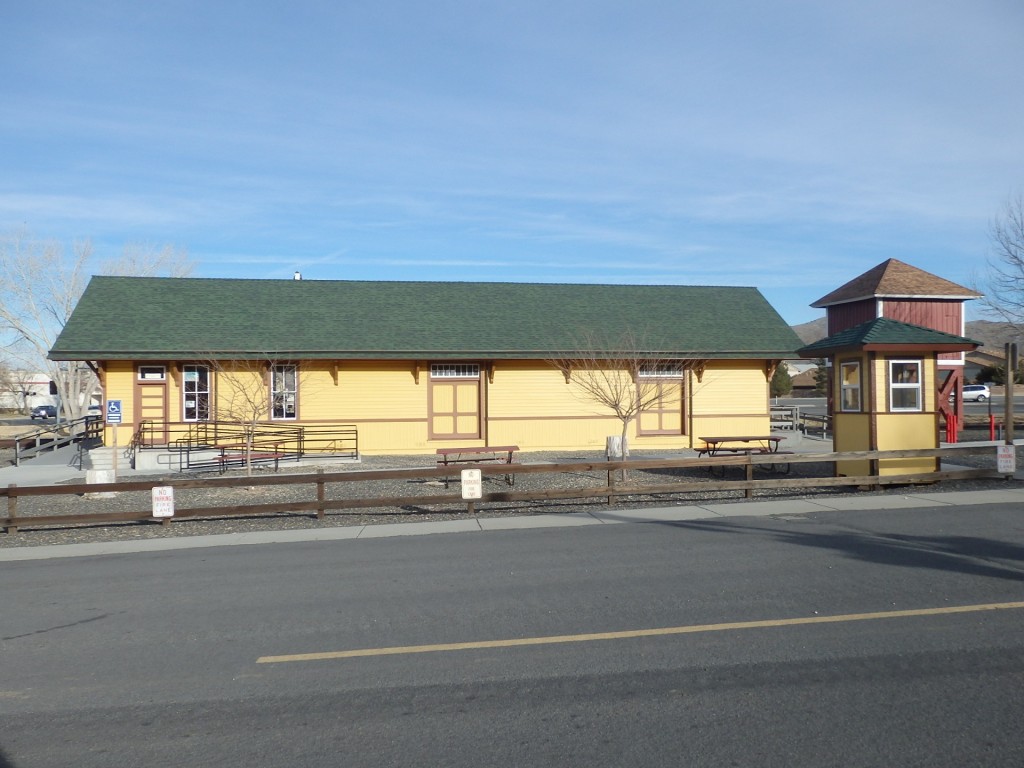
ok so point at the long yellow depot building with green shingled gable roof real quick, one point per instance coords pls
(415, 366)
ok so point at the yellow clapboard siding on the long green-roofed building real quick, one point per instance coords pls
(528, 403)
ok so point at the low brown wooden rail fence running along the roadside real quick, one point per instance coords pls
(318, 504)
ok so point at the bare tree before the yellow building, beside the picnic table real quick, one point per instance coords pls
(624, 376)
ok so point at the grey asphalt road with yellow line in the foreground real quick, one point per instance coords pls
(596, 647)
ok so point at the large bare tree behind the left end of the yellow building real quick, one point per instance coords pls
(40, 284)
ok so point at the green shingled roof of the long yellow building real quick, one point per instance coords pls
(176, 319)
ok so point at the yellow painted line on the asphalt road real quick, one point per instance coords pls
(631, 634)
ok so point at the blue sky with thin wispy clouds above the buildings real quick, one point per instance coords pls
(789, 146)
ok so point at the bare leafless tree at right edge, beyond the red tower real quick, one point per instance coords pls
(1004, 285)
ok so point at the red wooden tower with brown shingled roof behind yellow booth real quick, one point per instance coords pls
(898, 291)
